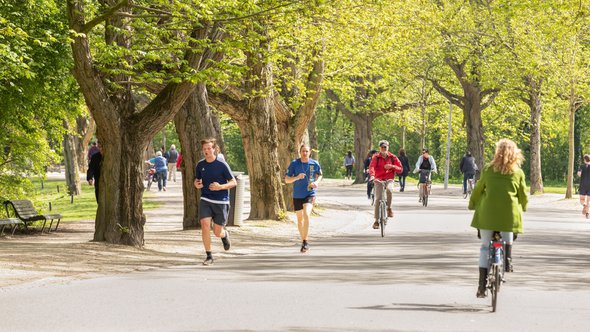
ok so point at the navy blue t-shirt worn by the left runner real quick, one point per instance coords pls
(215, 171)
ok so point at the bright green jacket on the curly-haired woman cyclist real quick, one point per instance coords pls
(499, 200)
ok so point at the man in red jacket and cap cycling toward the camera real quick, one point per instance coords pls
(384, 165)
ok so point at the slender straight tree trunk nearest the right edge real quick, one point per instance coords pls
(536, 106)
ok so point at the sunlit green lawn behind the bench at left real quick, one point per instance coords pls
(83, 206)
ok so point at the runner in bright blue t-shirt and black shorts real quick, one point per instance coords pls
(305, 174)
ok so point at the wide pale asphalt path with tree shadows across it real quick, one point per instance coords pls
(421, 276)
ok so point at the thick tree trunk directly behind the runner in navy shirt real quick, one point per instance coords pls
(194, 122)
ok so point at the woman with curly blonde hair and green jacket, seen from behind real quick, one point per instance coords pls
(499, 198)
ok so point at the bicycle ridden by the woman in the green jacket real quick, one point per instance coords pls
(495, 267)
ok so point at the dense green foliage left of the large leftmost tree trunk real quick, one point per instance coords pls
(37, 91)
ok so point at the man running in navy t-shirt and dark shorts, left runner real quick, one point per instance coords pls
(214, 178)
